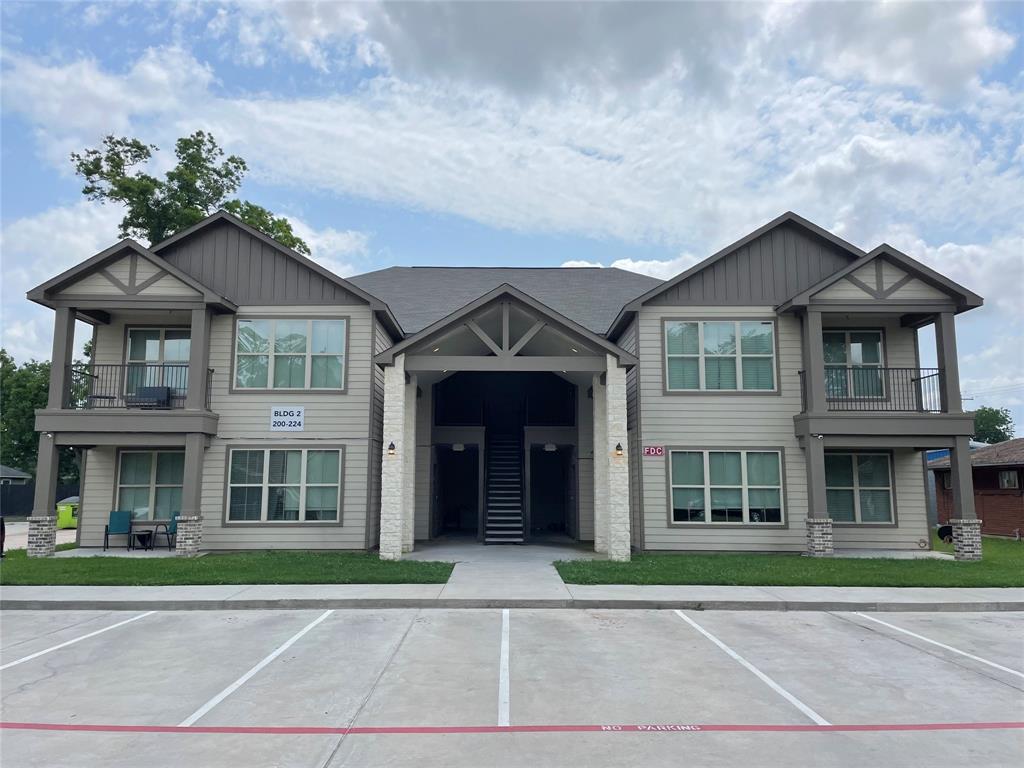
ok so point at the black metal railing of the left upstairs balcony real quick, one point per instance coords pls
(143, 386)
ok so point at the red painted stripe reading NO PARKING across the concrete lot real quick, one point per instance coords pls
(447, 730)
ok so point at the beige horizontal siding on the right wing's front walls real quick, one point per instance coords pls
(733, 421)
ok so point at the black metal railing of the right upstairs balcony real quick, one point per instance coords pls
(868, 389)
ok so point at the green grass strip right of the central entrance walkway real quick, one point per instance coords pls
(1002, 566)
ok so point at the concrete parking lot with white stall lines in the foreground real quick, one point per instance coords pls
(736, 688)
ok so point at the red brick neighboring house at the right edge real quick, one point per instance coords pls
(999, 488)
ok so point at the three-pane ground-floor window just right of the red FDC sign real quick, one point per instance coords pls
(727, 487)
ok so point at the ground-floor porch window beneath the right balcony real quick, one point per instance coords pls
(860, 488)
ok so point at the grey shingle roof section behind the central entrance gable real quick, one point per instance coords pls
(421, 295)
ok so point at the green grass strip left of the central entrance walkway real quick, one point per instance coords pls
(248, 568)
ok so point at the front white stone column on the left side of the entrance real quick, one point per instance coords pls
(393, 466)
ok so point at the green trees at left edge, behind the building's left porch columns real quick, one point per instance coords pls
(23, 390)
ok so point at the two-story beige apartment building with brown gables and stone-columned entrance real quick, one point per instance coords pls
(770, 399)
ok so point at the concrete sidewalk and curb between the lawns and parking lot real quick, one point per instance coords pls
(494, 594)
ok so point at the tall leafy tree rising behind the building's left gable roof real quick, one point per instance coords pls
(200, 184)
